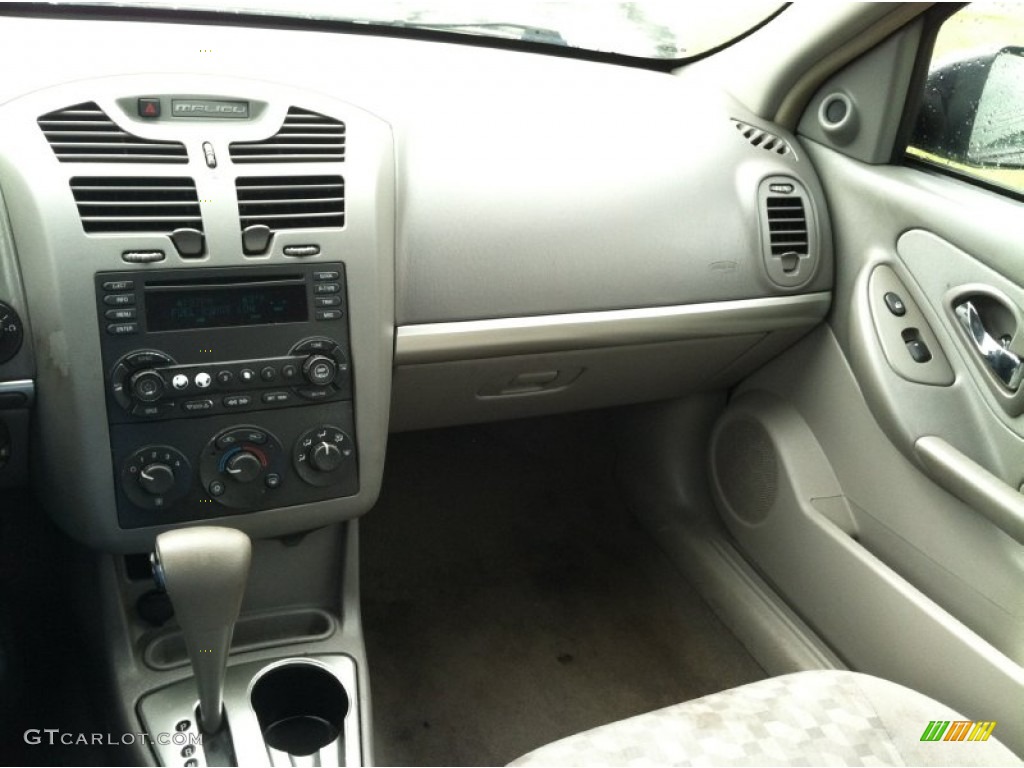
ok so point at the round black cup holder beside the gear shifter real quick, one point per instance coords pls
(302, 708)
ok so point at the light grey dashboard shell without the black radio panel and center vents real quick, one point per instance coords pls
(523, 234)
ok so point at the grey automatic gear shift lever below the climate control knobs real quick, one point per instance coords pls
(204, 572)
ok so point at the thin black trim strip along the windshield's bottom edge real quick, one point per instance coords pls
(229, 18)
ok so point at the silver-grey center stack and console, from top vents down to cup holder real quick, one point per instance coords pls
(210, 308)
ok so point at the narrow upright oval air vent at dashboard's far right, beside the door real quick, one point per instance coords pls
(789, 237)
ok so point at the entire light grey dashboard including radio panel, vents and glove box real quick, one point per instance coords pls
(205, 219)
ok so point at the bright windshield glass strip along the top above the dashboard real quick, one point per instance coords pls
(652, 29)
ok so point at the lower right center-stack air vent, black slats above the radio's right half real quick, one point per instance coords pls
(291, 202)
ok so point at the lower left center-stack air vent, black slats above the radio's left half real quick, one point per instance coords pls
(137, 204)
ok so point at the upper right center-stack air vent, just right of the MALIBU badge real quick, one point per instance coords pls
(306, 138)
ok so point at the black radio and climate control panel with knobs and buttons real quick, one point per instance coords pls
(229, 391)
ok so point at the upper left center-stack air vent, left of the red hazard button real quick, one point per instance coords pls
(83, 134)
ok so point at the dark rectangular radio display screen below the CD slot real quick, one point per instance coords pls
(187, 309)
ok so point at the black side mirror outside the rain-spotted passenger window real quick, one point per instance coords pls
(973, 111)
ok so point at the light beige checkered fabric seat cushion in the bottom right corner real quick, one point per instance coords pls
(824, 718)
